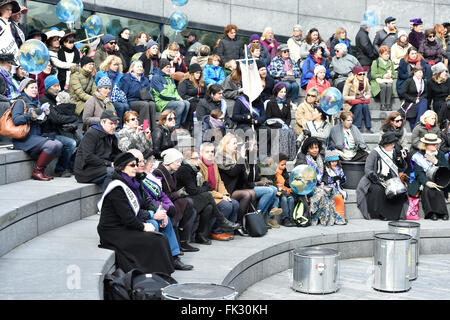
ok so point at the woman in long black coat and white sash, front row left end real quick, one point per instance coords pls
(122, 226)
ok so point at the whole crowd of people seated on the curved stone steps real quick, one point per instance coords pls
(97, 112)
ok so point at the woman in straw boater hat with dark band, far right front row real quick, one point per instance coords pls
(433, 187)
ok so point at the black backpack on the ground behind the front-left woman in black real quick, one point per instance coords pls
(135, 285)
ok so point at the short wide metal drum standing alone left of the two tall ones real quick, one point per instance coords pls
(315, 270)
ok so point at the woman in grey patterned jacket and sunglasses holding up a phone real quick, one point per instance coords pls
(135, 136)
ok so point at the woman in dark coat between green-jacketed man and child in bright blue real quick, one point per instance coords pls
(192, 88)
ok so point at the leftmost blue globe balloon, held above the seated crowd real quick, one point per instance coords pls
(33, 56)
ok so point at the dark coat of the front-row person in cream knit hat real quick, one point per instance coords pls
(170, 188)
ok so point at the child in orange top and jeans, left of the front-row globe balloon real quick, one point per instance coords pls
(284, 192)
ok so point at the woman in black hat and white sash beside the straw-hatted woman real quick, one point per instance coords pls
(381, 165)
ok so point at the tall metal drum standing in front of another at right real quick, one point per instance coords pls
(391, 253)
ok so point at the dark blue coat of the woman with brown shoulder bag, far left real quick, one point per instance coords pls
(34, 137)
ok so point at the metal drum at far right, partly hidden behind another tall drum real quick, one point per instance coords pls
(413, 229)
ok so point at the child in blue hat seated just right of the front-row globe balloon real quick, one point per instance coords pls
(334, 177)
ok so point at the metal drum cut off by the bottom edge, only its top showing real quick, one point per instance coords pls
(198, 291)
